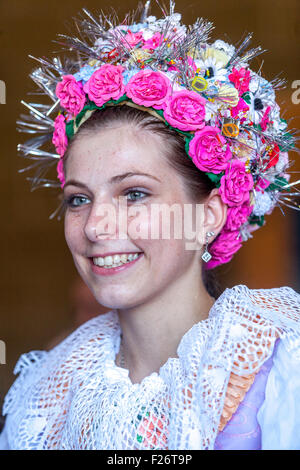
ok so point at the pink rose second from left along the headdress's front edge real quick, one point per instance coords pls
(106, 83)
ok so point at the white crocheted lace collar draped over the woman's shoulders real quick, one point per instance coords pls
(76, 397)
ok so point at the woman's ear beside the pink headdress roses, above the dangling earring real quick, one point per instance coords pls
(215, 215)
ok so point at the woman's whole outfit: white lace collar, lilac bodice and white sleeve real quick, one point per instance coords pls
(235, 384)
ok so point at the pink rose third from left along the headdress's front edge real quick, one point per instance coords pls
(149, 88)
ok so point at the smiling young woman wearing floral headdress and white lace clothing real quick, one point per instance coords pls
(174, 364)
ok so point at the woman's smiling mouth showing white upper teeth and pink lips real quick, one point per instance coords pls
(114, 263)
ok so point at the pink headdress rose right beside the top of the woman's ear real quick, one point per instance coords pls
(235, 184)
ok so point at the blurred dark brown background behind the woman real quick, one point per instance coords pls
(41, 297)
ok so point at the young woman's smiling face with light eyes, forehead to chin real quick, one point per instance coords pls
(101, 168)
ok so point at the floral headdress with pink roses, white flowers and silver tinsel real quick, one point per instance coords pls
(206, 91)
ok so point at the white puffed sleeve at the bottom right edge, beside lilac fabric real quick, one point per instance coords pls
(279, 416)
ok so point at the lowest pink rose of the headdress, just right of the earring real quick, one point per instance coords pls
(223, 248)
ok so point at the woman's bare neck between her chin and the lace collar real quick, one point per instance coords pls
(152, 331)
